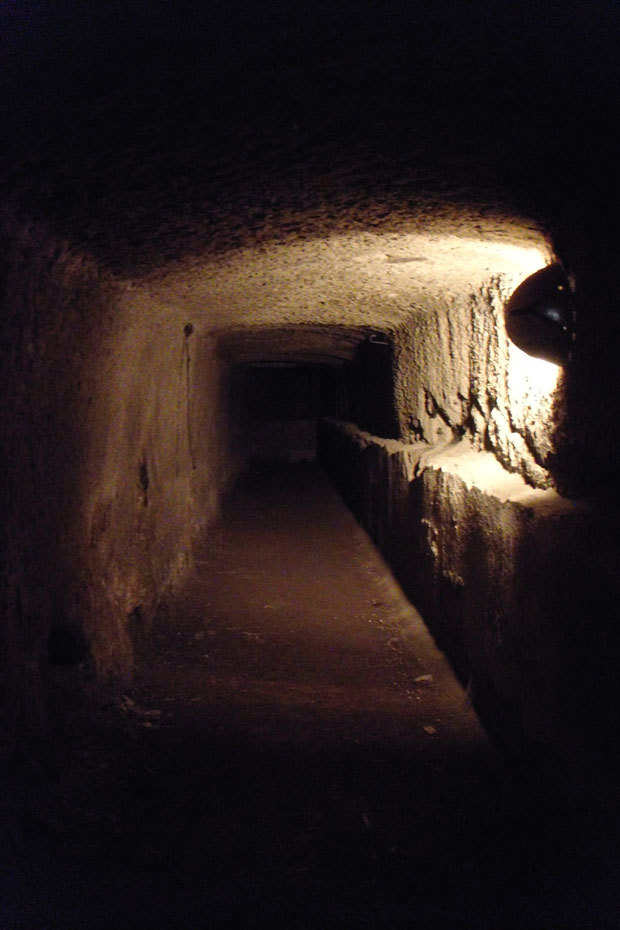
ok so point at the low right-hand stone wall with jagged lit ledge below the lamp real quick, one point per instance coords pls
(517, 585)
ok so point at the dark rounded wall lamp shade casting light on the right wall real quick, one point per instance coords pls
(540, 315)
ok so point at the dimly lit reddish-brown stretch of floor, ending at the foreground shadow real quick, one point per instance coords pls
(292, 630)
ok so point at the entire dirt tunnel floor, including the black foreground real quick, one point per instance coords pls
(294, 752)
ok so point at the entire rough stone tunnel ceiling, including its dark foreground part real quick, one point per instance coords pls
(261, 165)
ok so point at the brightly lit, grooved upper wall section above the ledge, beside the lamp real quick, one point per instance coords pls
(457, 375)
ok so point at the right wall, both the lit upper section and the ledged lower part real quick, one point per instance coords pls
(511, 576)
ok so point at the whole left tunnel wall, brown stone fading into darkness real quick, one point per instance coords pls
(113, 455)
